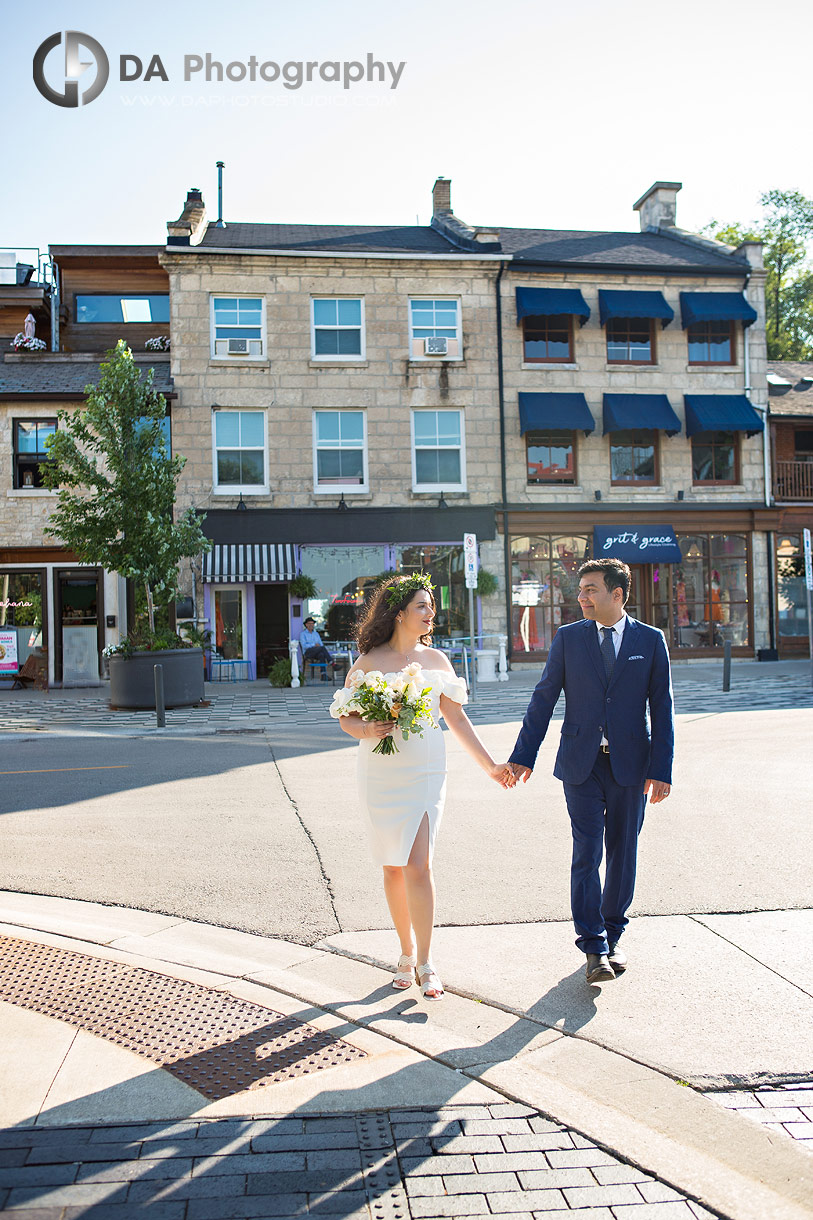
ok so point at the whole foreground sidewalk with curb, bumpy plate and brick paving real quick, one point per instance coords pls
(156, 1066)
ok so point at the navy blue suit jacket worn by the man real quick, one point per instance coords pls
(634, 711)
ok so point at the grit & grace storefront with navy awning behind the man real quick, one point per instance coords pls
(692, 578)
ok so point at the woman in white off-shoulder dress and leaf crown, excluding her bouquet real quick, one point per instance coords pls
(403, 794)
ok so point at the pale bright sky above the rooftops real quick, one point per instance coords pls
(543, 115)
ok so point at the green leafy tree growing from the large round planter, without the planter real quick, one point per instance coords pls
(118, 484)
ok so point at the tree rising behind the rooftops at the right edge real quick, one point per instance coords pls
(787, 229)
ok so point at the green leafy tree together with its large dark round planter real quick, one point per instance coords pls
(117, 487)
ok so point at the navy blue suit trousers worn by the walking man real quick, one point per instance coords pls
(604, 813)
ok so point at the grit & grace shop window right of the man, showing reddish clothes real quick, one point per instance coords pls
(711, 592)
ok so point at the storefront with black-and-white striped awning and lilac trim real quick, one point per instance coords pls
(256, 556)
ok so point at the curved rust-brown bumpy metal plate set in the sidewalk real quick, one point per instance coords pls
(214, 1042)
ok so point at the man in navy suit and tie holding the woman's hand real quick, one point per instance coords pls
(611, 756)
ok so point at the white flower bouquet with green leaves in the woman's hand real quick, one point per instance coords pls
(402, 700)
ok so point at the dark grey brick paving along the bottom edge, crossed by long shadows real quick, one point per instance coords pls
(388, 1166)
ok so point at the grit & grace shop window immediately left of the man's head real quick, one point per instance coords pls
(545, 587)
